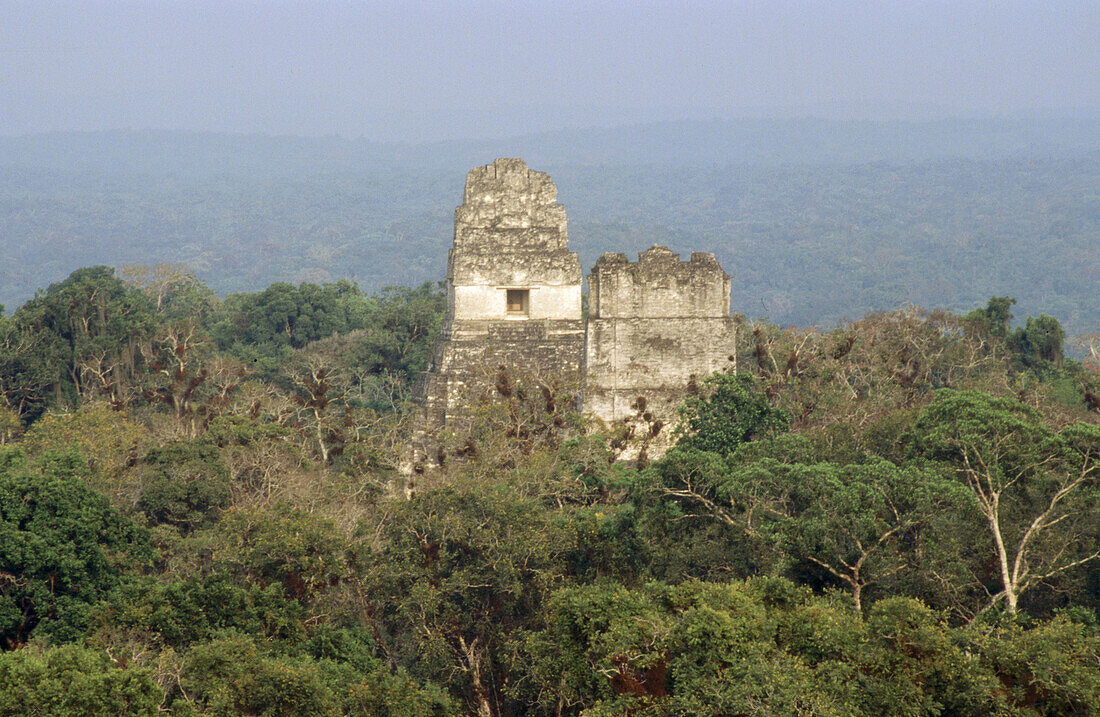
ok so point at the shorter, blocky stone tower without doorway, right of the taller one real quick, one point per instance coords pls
(654, 327)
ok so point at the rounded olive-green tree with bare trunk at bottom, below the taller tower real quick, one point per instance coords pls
(457, 578)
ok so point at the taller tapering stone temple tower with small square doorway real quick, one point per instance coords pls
(510, 234)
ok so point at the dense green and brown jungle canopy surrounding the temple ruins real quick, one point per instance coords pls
(201, 514)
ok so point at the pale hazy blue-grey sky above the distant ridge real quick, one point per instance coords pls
(427, 71)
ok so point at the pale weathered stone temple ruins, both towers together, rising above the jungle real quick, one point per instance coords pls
(655, 326)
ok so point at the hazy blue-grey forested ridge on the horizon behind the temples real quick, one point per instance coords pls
(817, 222)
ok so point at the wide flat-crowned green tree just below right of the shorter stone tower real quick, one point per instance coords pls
(856, 522)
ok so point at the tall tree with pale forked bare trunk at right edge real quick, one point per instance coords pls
(1037, 489)
